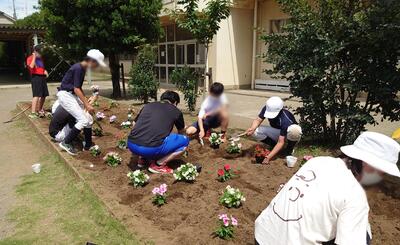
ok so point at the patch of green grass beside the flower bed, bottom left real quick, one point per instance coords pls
(54, 208)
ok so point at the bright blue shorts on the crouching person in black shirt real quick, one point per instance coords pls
(172, 143)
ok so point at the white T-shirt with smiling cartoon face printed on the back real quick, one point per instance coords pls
(321, 202)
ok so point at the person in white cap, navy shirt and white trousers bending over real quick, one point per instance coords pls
(72, 98)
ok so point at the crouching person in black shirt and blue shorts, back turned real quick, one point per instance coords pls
(151, 138)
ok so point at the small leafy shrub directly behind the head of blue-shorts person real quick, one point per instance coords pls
(186, 81)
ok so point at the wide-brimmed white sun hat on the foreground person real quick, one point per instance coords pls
(377, 150)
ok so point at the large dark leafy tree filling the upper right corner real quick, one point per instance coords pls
(341, 58)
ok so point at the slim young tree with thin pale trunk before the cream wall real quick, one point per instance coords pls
(203, 24)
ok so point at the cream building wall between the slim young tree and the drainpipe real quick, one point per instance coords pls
(233, 50)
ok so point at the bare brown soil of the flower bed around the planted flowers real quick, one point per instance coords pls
(190, 216)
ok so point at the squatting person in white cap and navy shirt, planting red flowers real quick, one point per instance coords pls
(283, 127)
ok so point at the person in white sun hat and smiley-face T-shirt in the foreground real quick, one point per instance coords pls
(324, 202)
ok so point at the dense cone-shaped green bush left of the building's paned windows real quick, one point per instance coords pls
(143, 84)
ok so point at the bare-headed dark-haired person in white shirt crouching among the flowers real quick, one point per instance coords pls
(213, 113)
